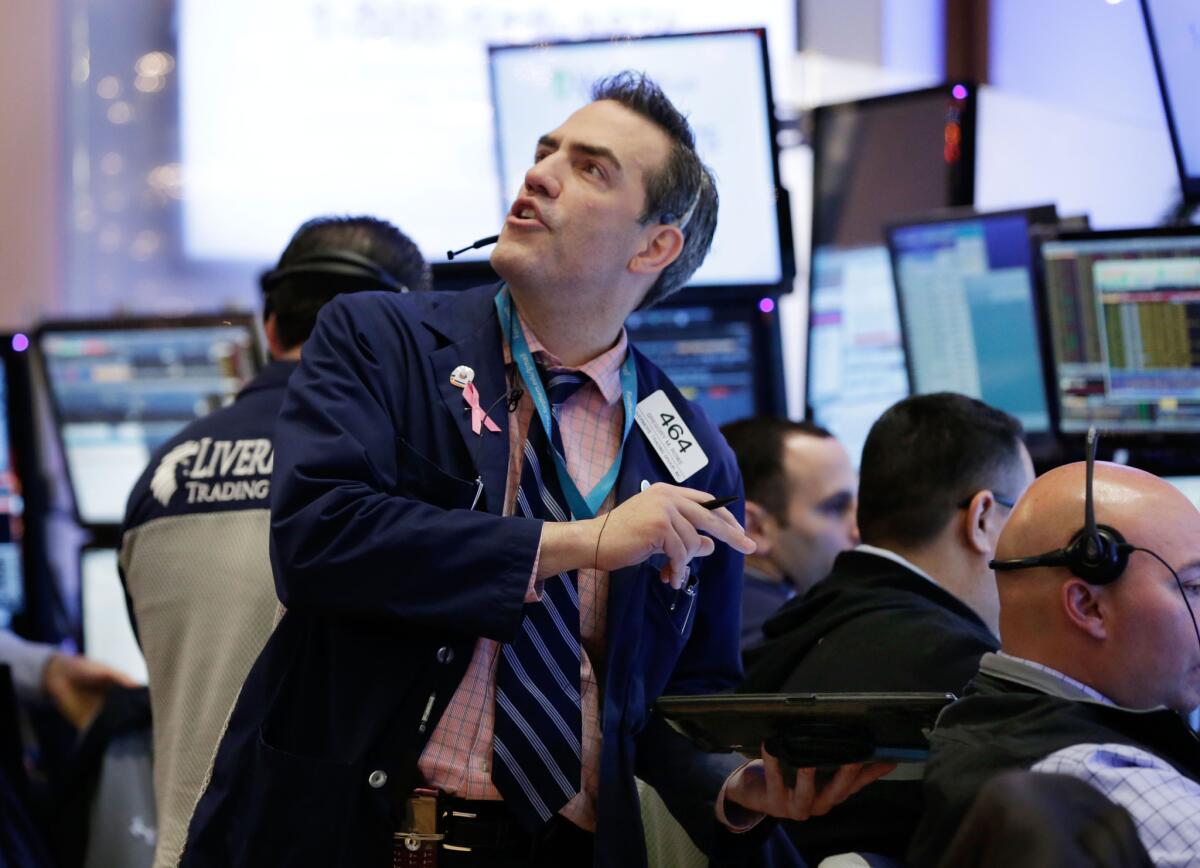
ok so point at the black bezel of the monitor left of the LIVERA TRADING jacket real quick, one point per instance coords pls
(109, 531)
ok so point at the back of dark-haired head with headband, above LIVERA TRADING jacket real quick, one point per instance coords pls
(329, 256)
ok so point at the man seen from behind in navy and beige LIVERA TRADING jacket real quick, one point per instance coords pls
(195, 544)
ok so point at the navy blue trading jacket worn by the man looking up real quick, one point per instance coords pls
(391, 578)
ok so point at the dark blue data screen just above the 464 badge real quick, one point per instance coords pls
(709, 357)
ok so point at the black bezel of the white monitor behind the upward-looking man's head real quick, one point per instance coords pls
(713, 292)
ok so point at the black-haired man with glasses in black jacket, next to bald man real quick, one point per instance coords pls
(915, 607)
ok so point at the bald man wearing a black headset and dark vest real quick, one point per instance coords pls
(1100, 662)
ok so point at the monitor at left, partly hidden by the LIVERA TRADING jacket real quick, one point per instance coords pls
(119, 390)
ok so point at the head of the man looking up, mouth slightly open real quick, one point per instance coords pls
(616, 213)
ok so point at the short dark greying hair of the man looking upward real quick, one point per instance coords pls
(682, 191)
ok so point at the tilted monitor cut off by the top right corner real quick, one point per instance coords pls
(1174, 31)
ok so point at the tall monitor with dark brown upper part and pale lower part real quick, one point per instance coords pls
(874, 161)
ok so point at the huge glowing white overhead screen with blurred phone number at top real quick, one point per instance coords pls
(290, 111)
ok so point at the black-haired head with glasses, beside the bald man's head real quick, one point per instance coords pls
(939, 478)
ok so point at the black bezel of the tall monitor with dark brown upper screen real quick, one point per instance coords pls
(962, 187)
